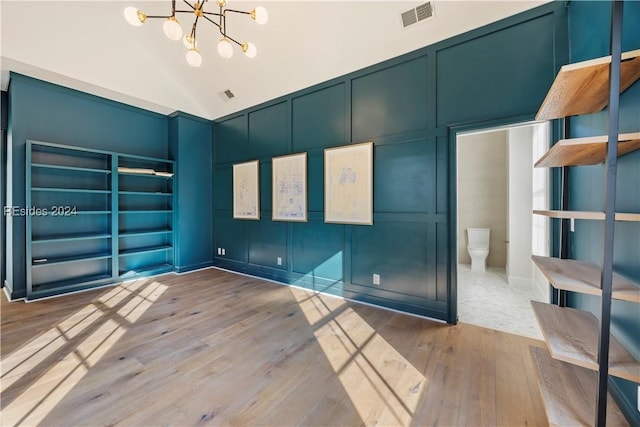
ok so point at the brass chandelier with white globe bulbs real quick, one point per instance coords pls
(173, 30)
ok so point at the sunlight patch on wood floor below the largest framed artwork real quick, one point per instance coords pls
(382, 385)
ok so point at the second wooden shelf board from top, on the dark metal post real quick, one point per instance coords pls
(586, 151)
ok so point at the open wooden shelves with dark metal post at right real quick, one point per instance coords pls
(573, 375)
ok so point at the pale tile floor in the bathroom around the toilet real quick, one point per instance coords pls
(486, 299)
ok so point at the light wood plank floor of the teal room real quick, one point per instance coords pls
(215, 348)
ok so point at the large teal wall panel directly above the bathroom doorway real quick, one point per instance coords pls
(488, 71)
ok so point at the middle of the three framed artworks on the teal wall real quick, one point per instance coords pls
(289, 178)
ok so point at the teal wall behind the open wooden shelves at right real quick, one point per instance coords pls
(589, 29)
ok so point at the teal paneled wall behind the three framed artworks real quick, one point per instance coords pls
(405, 106)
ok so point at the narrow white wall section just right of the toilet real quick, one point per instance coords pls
(520, 268)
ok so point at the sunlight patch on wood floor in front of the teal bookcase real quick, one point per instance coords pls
(44, 393)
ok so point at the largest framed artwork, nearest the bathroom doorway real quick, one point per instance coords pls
(348, 184)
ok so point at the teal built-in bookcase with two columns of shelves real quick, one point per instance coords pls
(88, 224)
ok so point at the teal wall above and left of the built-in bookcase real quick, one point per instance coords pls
(46, 112)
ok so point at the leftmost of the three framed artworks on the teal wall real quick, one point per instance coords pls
(246, 194)
